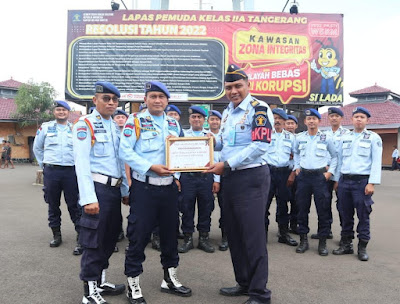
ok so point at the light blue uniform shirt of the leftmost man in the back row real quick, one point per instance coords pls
(53, 144)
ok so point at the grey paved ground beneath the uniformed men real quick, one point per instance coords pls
(32, 272)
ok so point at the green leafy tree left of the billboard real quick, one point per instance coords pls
(34, 102)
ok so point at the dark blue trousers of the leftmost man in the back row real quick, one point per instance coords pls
(56, 180)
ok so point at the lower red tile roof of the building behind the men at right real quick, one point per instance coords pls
(382, 113)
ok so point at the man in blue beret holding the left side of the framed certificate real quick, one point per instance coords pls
(154, 192)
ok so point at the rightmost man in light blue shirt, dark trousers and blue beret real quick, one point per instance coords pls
(360, 165)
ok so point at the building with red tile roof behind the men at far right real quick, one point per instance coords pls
(384, 106)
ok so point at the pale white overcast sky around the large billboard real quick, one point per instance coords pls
(34, 37)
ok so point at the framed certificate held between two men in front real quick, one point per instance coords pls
(189, 154)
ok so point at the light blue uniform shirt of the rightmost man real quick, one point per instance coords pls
(361, 153)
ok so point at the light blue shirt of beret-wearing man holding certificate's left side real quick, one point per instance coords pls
(149, 149)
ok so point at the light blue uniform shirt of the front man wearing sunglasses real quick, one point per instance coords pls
(101, 158)
